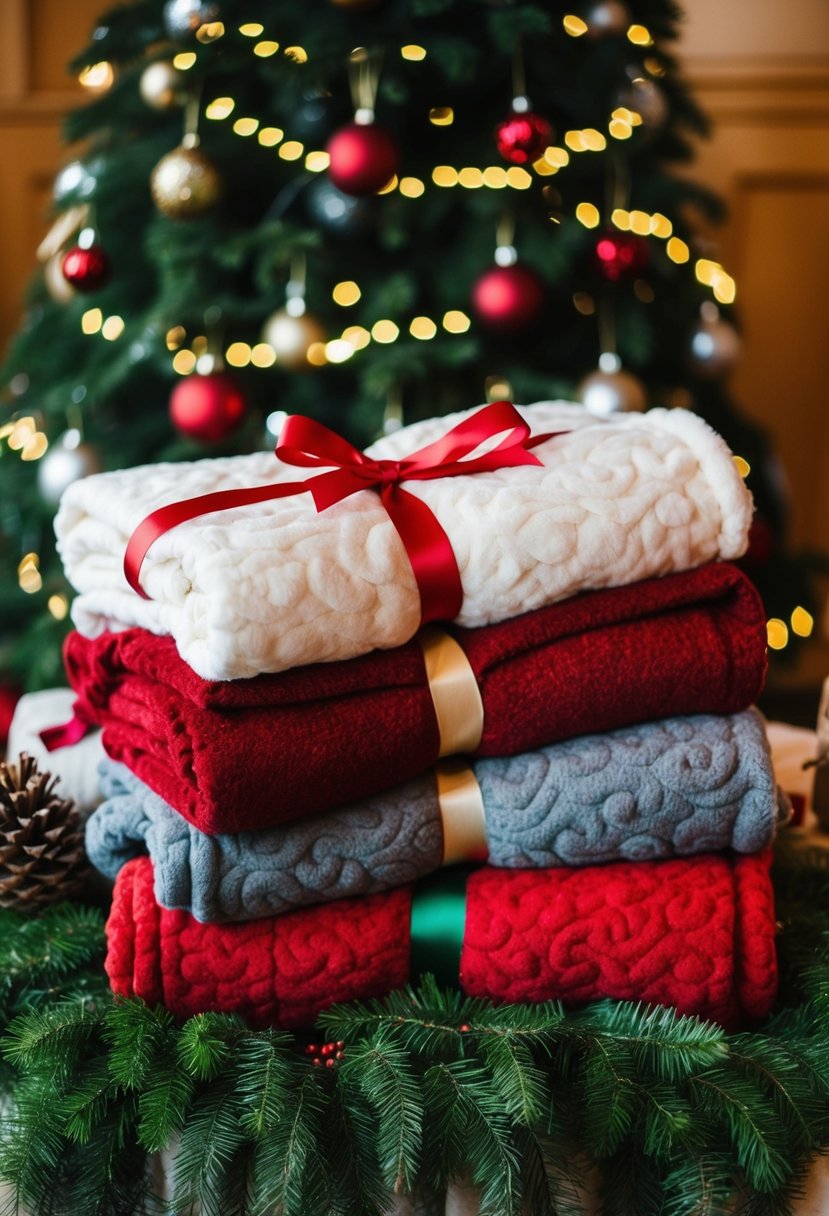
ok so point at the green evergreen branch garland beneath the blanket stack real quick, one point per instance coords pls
(672, 1114)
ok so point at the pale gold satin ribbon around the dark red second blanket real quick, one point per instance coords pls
(455, 693)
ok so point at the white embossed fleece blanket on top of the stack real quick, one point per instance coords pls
(278, 586)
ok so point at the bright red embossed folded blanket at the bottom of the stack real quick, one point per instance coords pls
(693, 933)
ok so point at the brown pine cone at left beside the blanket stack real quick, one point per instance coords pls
(42, 838)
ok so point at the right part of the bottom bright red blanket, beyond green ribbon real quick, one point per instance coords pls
(696, 933)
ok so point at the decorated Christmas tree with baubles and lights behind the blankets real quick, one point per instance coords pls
(392, 211)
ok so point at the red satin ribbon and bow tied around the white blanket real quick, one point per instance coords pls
(309, 444)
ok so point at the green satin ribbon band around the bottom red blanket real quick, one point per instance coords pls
(439, 916)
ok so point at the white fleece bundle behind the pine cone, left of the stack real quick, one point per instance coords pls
(77, 767)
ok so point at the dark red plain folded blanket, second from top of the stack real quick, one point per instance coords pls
(252, 753)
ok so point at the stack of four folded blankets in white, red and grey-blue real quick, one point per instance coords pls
(295, 768)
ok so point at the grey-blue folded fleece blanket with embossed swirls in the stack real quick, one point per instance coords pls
(661, 790)
